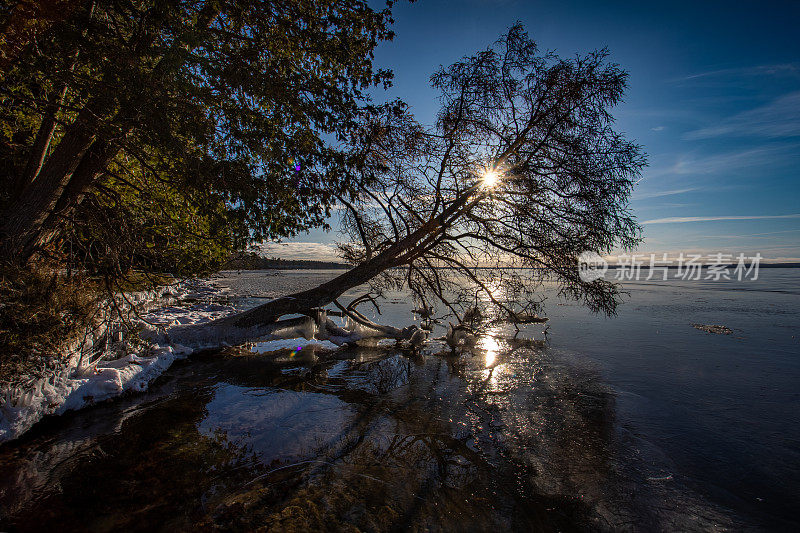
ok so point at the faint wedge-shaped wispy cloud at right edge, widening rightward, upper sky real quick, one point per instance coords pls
(777, 119)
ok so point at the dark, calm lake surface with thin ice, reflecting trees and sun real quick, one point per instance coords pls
(640, 422)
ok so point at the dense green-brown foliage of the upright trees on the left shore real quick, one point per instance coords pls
(165, 134)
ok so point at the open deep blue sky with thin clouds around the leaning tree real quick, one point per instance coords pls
(714, 98)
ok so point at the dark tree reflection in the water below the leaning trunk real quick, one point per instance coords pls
(501, 436)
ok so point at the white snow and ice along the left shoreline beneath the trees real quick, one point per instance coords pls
(174, 331)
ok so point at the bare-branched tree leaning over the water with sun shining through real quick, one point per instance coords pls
(521, 173)
